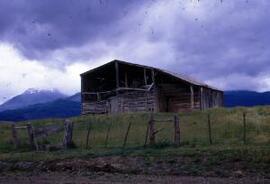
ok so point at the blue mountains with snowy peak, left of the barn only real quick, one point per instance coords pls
(40, 104)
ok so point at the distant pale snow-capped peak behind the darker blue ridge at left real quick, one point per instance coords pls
(30, 97)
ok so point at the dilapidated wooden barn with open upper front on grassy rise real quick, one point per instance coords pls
(119, 86)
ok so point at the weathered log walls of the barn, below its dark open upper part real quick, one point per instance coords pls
(162, 99)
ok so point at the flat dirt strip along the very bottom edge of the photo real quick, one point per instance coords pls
(104, 178)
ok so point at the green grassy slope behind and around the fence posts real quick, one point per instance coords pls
(227, 134)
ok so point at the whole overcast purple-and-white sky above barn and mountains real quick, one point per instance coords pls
(47, 43)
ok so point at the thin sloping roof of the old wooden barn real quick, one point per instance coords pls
(182, 77)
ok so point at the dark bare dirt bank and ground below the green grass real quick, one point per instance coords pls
(117, 169)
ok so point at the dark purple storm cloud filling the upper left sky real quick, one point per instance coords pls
(38, 27)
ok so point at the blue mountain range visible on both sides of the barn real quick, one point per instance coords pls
(40, 104)
